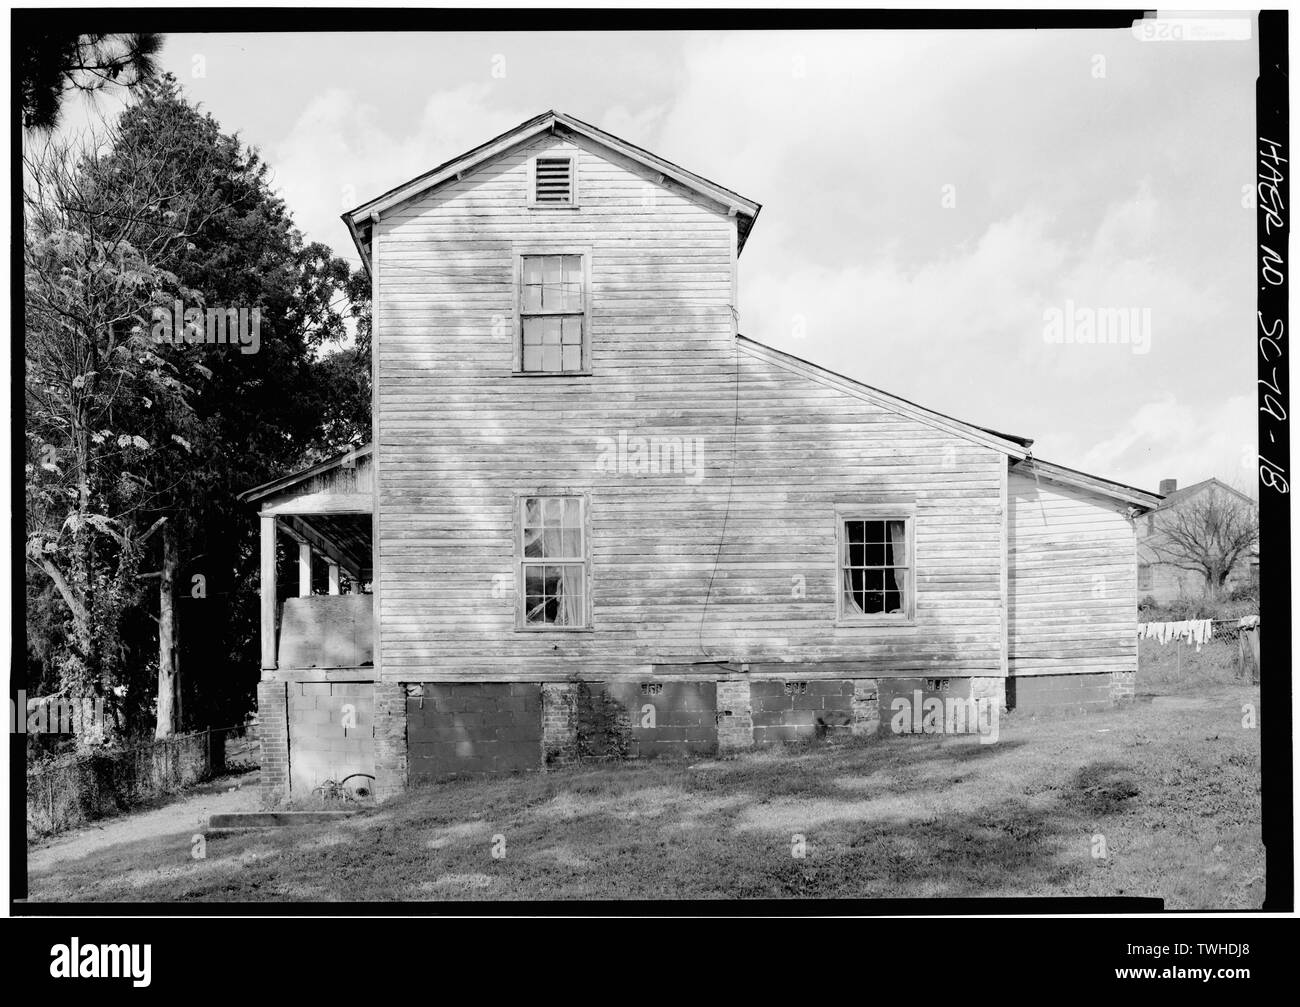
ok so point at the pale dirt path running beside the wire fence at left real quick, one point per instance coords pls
(181, 819)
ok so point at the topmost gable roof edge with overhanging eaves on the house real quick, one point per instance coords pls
(359, 222)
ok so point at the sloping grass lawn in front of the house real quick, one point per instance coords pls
(1171, 783)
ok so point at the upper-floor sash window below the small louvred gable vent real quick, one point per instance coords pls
(553, 315)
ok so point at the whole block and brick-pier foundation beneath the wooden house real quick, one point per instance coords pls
(413, 732)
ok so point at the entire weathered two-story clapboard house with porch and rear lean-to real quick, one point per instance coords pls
(599, 519)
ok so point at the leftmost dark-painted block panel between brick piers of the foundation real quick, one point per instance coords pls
(474, 728)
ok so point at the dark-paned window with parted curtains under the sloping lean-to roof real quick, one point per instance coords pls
(877, 580)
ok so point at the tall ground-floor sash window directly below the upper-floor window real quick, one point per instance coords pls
(553, 563)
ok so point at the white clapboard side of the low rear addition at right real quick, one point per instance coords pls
(1073, 602)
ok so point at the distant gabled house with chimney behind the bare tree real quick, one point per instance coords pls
(1159, 574)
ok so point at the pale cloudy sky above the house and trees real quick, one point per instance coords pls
(934, 203)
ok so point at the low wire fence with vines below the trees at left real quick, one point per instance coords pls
(84, 789)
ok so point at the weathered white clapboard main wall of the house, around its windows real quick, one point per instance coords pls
(458, 437)
